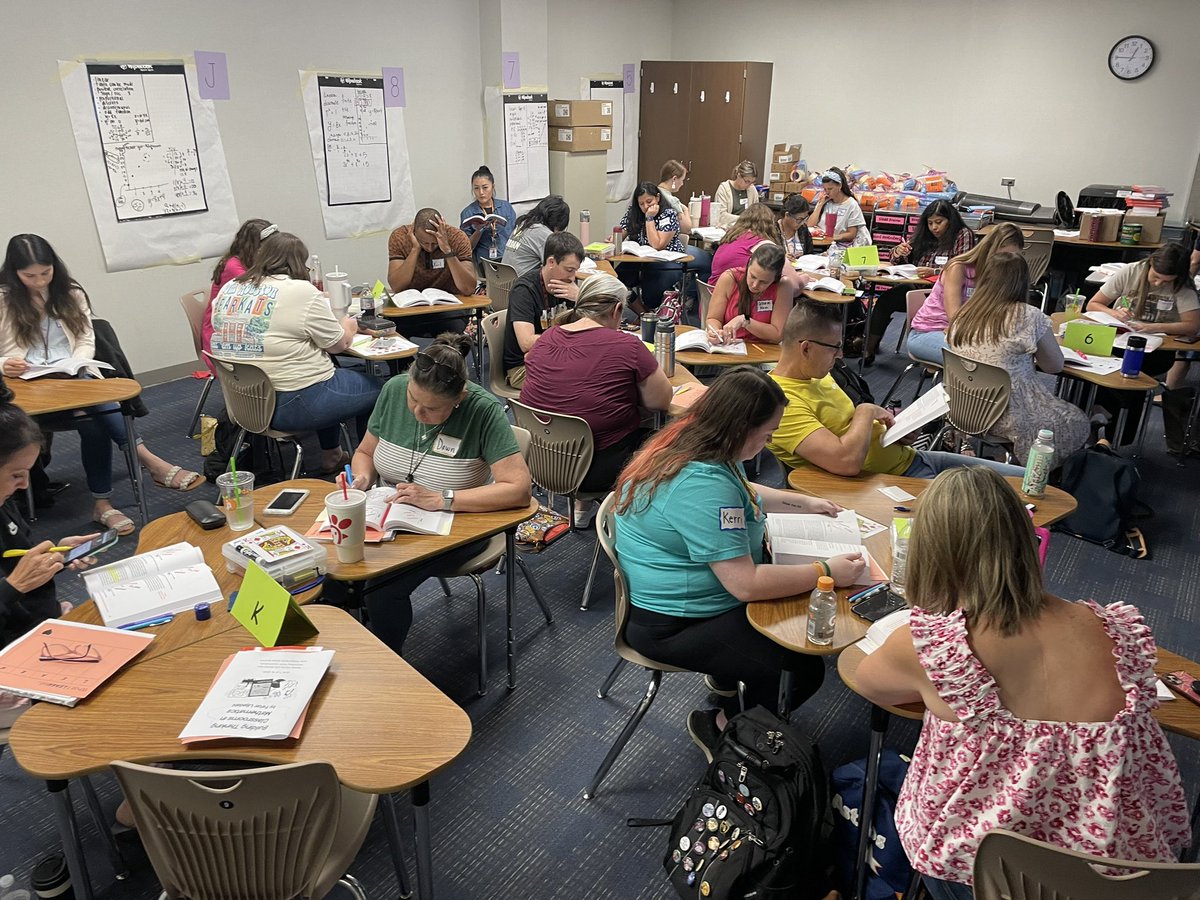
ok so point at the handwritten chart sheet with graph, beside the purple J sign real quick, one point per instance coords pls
(148, 140)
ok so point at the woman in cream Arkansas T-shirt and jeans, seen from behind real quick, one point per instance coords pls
(275, 319)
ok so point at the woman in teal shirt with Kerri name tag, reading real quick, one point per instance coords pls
(691, 533)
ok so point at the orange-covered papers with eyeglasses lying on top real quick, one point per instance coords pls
(64, 662)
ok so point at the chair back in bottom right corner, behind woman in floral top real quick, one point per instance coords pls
(1012, 867)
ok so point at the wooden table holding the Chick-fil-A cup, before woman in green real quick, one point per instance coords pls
(383, 562)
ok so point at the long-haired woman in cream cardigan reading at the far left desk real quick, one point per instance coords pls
(46, 320)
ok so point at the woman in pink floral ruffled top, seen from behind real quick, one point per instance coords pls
(1039, 711)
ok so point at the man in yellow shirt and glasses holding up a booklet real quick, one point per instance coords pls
(823, 427)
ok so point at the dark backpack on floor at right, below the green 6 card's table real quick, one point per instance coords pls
(1106, 490)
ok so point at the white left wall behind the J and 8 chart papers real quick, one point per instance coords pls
(263, 128)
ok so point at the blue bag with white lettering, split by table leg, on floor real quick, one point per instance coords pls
(890, 872)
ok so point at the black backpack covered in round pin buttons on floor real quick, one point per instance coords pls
(757, 824)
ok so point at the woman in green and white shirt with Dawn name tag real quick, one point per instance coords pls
(445, 445)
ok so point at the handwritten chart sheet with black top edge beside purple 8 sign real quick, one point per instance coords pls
(356, 140)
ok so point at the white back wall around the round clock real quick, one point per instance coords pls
(1010, 88)
